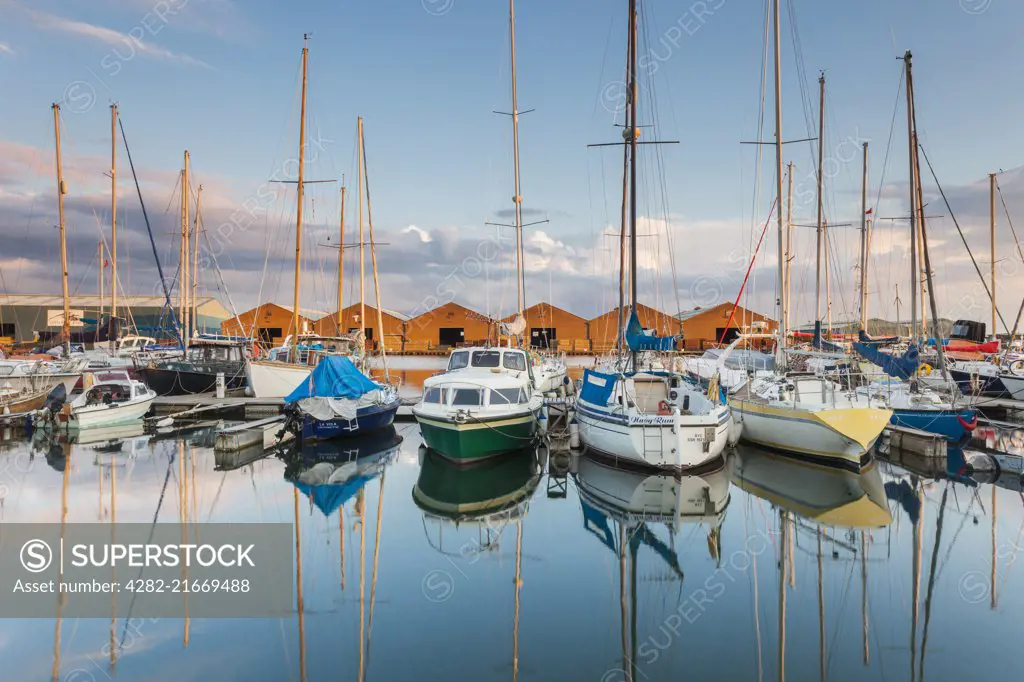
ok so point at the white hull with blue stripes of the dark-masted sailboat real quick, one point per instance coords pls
(653, 443)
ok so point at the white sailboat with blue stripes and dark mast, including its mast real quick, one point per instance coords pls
(647, 417)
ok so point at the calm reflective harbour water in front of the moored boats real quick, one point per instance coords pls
(563, 571)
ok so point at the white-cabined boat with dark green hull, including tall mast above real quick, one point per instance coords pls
(489, 401)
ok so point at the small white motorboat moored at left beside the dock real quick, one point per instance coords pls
(114, 398)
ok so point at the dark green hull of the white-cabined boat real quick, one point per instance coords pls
(479, 440)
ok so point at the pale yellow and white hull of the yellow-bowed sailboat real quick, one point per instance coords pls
(841, 438)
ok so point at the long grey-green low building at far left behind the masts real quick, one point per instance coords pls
(25, 318)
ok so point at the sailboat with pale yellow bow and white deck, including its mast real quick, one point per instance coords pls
(810, 417)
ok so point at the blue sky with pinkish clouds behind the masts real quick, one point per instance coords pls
(221, 78)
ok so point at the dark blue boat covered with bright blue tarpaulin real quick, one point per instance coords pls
(338, 402)
